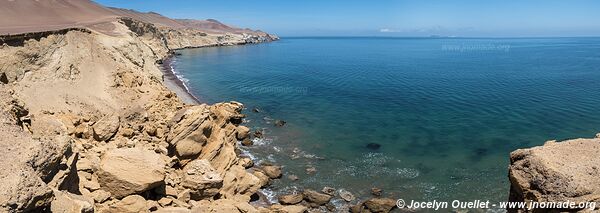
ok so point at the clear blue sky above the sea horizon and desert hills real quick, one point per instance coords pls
(409, 18)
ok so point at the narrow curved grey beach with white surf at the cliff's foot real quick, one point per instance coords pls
(175, 83)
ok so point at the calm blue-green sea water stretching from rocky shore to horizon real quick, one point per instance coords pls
(446, 112)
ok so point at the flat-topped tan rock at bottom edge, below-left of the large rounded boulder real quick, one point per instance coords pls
(70, 203)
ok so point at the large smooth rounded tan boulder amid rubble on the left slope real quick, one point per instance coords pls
(129, 171)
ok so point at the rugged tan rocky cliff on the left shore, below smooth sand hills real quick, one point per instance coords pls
(87, 125)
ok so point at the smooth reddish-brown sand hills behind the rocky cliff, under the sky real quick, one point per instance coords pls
(23, 16)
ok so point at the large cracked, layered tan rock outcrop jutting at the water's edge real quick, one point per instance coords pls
(206, 132)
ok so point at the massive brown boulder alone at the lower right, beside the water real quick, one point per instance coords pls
(556, 172)
